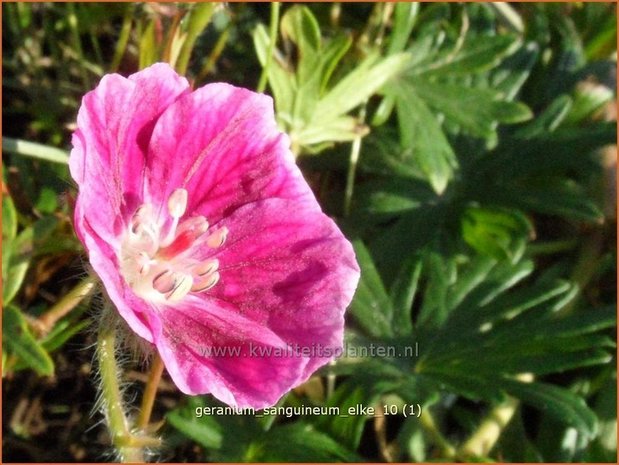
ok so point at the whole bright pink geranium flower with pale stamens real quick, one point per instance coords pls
(206, 236)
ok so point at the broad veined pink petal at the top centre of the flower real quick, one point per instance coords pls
(221, 143)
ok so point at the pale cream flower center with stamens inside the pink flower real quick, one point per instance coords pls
(157, 255)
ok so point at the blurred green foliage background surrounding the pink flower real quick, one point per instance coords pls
(466, 149)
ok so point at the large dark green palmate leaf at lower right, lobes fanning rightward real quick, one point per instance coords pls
(512, 331)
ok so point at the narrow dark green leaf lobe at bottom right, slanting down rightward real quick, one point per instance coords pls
(557, 402)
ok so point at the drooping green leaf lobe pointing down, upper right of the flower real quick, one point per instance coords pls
(422, 136)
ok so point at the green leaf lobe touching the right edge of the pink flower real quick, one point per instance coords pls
(371, 306)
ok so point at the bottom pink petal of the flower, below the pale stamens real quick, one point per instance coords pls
(195, 328)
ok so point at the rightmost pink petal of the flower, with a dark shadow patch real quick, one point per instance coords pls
(288, 267)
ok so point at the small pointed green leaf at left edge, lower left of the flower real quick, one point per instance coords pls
(18, 340)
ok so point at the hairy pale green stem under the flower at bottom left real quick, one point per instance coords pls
(117, 422)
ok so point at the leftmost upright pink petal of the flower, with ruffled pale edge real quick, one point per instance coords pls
(115, 124)
